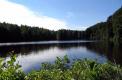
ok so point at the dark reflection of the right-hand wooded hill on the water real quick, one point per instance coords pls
(111, 51)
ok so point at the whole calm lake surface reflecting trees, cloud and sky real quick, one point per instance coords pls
(30, 55)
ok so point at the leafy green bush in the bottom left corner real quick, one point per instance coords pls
(9, 70)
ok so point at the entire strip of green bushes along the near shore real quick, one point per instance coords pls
(62, 69)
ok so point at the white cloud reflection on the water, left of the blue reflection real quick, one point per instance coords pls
(34, 60)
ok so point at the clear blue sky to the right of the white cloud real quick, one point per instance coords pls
(77, 14)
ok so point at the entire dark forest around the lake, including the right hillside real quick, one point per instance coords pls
(110, 30)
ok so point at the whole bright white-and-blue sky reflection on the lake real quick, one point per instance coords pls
(34, 59)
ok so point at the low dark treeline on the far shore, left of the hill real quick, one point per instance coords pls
(15, 33)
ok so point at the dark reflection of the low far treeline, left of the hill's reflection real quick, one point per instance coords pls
(27, 49)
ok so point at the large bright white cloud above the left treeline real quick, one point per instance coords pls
(18, 14)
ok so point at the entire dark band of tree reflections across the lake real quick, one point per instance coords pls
(113, 53)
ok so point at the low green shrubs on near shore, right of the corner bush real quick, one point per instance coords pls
(78, 70)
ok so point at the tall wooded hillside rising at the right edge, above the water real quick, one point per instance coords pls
(111, 30)
